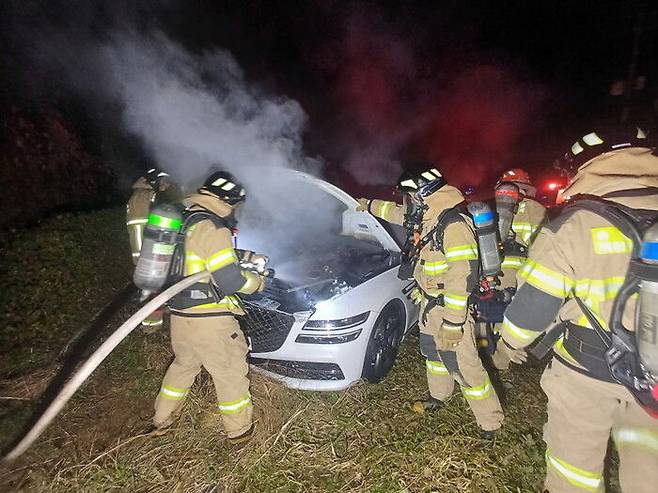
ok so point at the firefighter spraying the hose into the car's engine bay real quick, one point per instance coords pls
(204, 328)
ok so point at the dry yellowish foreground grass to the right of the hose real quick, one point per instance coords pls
(364, 439)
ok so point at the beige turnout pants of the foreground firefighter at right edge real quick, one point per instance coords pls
(583, 413)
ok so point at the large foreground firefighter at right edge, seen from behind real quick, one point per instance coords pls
(580, 260)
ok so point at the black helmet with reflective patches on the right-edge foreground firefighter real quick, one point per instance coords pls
(599, 141)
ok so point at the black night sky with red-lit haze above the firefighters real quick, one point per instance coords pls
(476, 85)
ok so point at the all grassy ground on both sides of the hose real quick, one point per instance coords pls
(363, 439)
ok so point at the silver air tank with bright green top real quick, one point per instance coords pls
(158, 246)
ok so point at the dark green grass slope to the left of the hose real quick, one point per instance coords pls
(54, 278)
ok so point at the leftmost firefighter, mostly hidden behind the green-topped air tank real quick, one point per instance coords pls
(146, 191)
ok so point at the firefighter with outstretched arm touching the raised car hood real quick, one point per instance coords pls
(445, 277)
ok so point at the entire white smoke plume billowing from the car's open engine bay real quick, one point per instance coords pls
(193, 112)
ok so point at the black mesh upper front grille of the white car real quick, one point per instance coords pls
(267, 329)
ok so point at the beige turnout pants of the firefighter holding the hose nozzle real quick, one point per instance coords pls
(217, 344)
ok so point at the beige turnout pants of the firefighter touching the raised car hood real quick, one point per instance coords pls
(463, 365)
